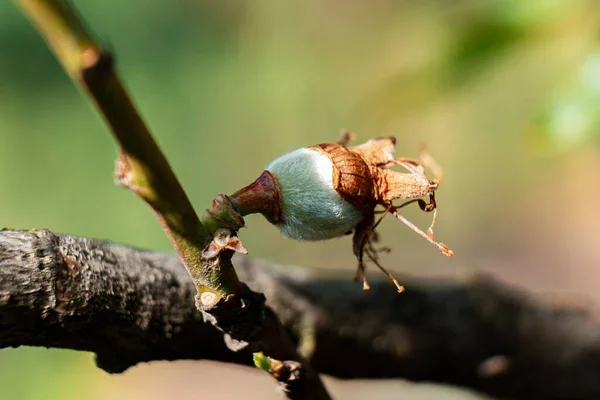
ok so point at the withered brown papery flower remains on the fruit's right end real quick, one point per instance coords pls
(362, 178)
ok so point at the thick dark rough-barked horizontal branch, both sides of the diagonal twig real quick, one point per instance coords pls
(130, 306)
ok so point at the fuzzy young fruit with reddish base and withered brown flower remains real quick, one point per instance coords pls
(328, 190)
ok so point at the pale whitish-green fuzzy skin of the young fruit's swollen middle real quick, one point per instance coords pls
(311, 209)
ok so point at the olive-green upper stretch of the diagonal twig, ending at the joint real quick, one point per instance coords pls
(141, 166)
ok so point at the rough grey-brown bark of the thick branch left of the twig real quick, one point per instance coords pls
(124, 305)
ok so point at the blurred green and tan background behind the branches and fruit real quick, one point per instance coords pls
(506, 94)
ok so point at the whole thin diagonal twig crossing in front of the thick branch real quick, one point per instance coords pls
(141, 167)
